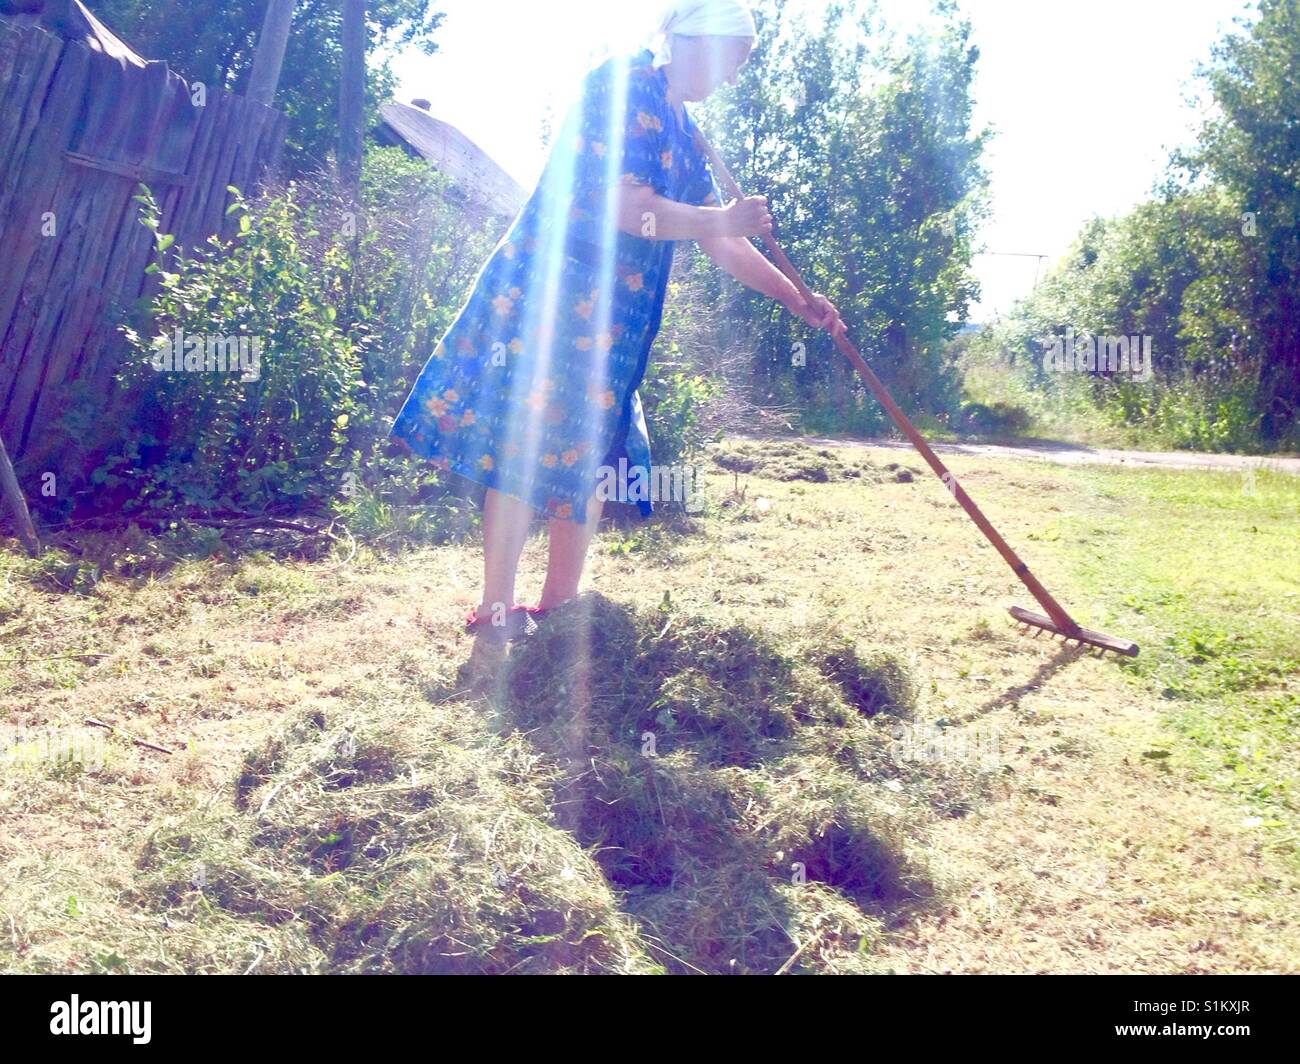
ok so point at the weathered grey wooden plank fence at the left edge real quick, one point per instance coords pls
(80, 131)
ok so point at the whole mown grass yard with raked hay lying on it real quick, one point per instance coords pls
(795, 733)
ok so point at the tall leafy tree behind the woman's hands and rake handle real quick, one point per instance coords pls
(870, 158)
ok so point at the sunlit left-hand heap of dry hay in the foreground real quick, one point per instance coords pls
(395, 840)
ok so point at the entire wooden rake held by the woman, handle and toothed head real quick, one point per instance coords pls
(1058, 622)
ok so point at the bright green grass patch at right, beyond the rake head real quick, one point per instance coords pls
(1211, 564)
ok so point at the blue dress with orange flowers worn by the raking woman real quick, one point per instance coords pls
(535, 387)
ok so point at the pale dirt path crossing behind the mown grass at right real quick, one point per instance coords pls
(1072, 455)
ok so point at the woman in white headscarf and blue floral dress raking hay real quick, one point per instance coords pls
(534, 391)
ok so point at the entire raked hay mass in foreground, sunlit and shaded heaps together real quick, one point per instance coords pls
(629, 793)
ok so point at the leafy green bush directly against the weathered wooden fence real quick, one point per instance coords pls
(271, 436)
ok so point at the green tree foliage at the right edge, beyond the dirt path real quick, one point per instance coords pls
(1210, 269)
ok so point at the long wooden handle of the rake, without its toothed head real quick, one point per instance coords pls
(1055, 609)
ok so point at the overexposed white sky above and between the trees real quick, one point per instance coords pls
(1086, 100)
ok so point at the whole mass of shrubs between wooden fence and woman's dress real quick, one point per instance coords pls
(346, 309)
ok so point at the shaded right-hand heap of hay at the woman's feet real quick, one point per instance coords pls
(766, 772)
